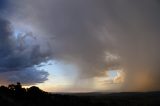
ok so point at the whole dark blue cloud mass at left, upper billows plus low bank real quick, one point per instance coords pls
(19, 55)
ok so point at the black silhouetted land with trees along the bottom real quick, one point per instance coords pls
(15, 95)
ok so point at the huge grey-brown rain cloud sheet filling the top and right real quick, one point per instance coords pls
(84, 32)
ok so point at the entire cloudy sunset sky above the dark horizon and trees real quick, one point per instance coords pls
(80, 45)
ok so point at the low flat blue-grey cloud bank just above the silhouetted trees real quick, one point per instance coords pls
(27, 76)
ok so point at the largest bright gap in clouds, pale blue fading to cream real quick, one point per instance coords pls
(61, 76)
